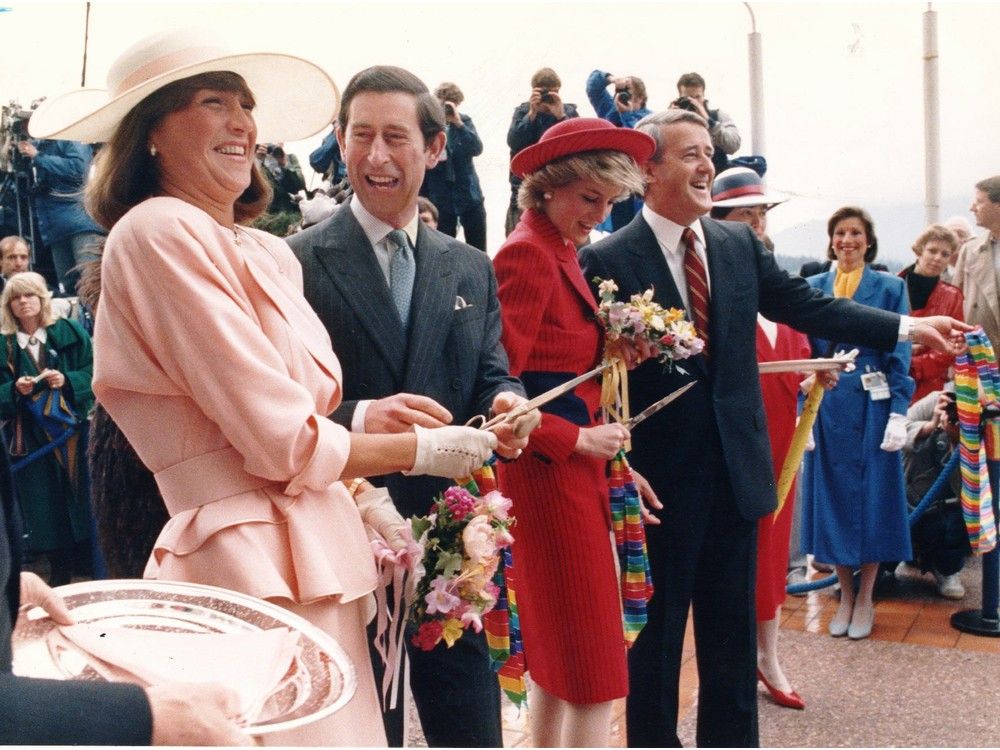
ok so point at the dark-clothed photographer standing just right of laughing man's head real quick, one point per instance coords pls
(453, 185)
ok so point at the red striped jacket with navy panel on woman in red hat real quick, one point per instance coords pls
(550, 329)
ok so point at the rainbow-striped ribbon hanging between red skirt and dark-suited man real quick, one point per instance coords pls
(630, 541)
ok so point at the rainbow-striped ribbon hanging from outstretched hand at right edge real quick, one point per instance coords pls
(977, 384)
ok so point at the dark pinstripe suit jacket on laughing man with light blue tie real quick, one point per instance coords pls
(453, 352)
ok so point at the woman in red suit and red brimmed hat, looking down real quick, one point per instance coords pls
(567, 587)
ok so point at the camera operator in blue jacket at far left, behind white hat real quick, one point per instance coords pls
(60, 170)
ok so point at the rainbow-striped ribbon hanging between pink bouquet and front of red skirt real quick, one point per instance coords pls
(502, 625)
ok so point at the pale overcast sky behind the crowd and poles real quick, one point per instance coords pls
(842, 82)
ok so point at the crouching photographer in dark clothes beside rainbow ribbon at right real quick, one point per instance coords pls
(940, 542)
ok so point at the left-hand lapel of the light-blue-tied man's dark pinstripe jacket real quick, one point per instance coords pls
(347, 257)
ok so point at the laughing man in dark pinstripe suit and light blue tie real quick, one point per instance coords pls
(437, 362)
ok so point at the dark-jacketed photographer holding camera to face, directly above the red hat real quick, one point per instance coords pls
(530, 120)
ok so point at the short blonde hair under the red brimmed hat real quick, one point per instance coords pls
(608, 167)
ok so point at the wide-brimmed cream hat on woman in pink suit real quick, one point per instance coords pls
(295, 98)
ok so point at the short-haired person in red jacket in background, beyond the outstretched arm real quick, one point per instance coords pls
(930, 295)
